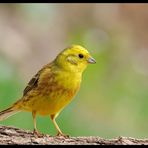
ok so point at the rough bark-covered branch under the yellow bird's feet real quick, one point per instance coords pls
(12, 135)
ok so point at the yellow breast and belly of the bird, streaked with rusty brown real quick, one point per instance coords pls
(61, 93)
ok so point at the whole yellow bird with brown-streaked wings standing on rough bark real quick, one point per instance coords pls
(53, 87)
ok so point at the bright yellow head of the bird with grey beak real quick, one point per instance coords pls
(74, 59)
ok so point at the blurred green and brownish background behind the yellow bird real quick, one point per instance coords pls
(113, 99)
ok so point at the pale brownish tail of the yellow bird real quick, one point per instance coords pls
(8, 112)
